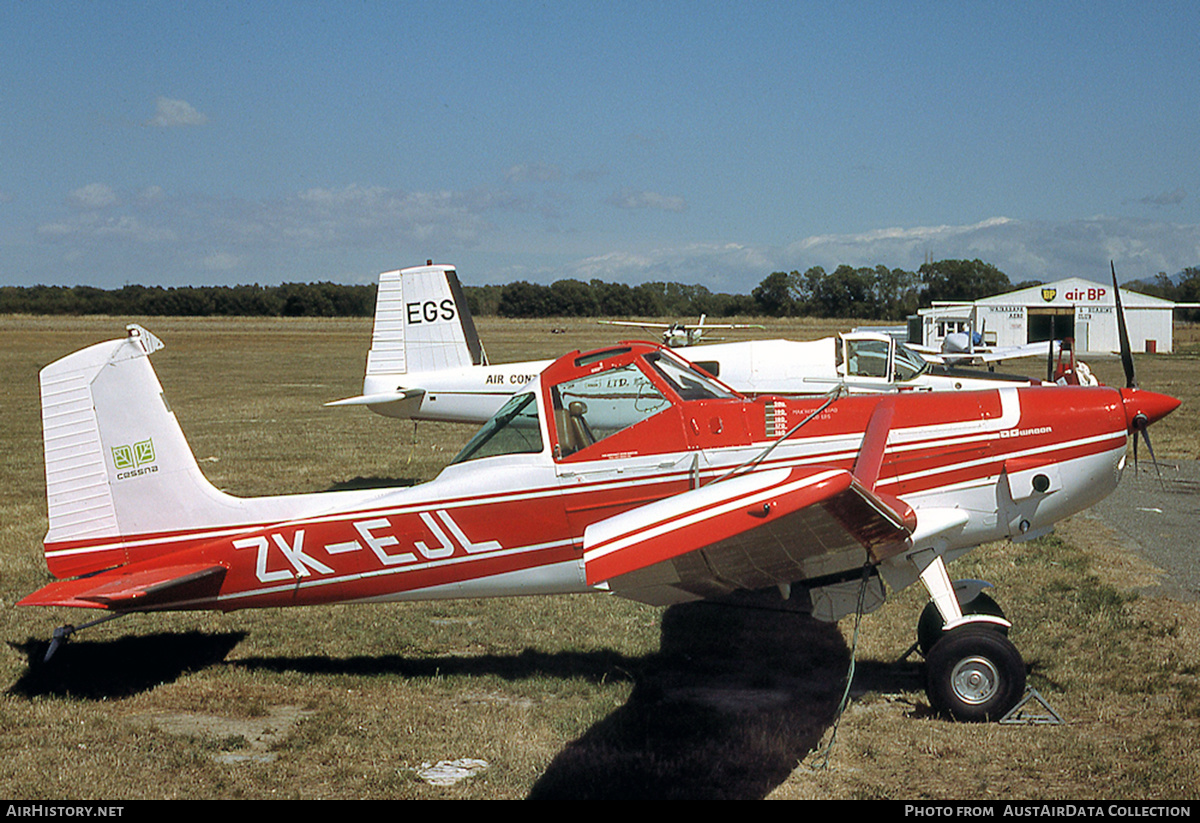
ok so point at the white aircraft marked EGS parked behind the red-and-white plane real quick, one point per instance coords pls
(427, 361)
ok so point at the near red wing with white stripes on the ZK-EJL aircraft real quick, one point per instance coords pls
(757, 531)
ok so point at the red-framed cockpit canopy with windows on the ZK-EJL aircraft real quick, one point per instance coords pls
(587, 399)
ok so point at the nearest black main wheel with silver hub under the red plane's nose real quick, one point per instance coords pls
(974, 675)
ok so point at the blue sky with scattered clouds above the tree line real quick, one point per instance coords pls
(219, 143)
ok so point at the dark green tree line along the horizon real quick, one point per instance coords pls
(875, 293)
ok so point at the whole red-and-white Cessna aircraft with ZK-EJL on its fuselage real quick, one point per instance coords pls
(622, 471)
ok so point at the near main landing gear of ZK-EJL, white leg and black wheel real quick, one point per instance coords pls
(973, 671)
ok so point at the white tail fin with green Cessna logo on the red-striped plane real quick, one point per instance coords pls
(117, 462)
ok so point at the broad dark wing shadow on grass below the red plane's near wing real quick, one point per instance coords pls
(734, 701)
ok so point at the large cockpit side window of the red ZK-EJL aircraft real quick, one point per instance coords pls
(592, 409)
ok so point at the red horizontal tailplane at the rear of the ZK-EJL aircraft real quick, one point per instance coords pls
(122, 590)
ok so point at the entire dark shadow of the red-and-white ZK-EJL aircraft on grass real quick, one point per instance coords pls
(735, 699)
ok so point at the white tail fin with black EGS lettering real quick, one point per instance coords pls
(422, 325)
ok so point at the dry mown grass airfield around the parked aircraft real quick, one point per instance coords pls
(569, 698)
